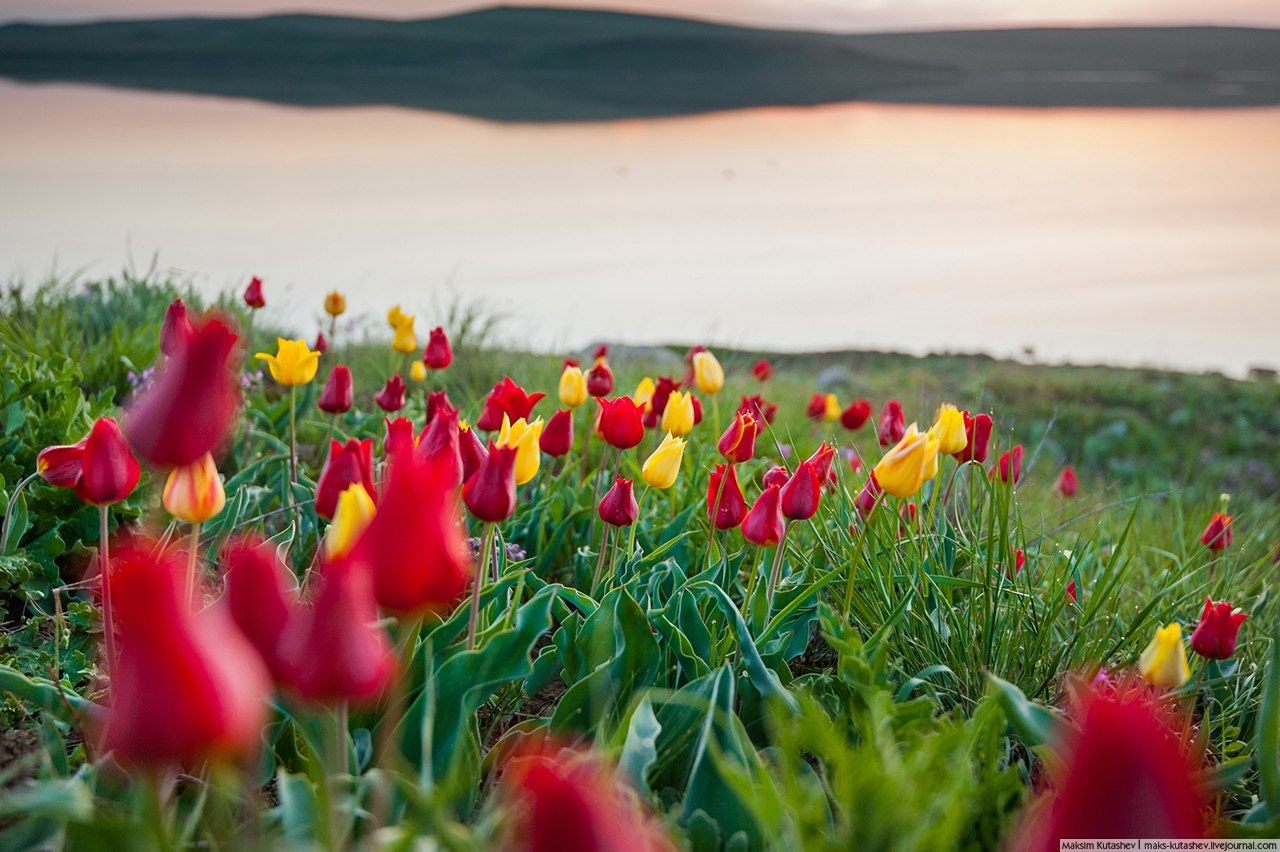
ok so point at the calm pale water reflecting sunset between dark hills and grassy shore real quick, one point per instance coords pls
(1124, 237)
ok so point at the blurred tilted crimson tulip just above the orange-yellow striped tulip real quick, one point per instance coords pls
(191, 409)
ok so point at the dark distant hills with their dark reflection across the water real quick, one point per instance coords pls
(564, 66)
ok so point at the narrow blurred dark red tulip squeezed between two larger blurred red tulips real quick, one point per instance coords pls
(260, 597)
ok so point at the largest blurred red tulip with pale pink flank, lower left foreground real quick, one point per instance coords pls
(186, 689)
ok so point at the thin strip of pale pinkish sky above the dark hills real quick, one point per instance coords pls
(816, 15)
